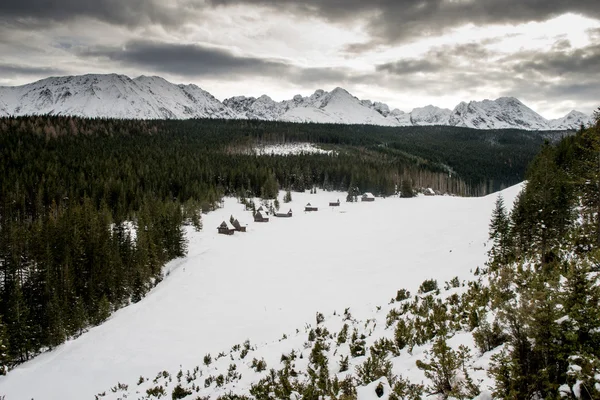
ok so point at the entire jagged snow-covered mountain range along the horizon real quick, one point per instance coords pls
(118, 96)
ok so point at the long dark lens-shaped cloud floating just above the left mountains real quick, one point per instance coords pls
(201, 61)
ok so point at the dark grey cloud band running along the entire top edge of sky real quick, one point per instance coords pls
(388, 21)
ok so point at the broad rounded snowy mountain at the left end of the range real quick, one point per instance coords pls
(115, 96)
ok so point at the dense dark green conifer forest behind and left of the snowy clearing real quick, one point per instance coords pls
(91, 210)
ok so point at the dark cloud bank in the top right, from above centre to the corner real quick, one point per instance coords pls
(392, 21)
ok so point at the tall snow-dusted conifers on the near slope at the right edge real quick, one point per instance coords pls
(545, 274)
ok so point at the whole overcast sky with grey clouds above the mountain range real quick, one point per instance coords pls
(407, 53)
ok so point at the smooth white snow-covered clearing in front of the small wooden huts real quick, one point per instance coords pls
(265, 283)
